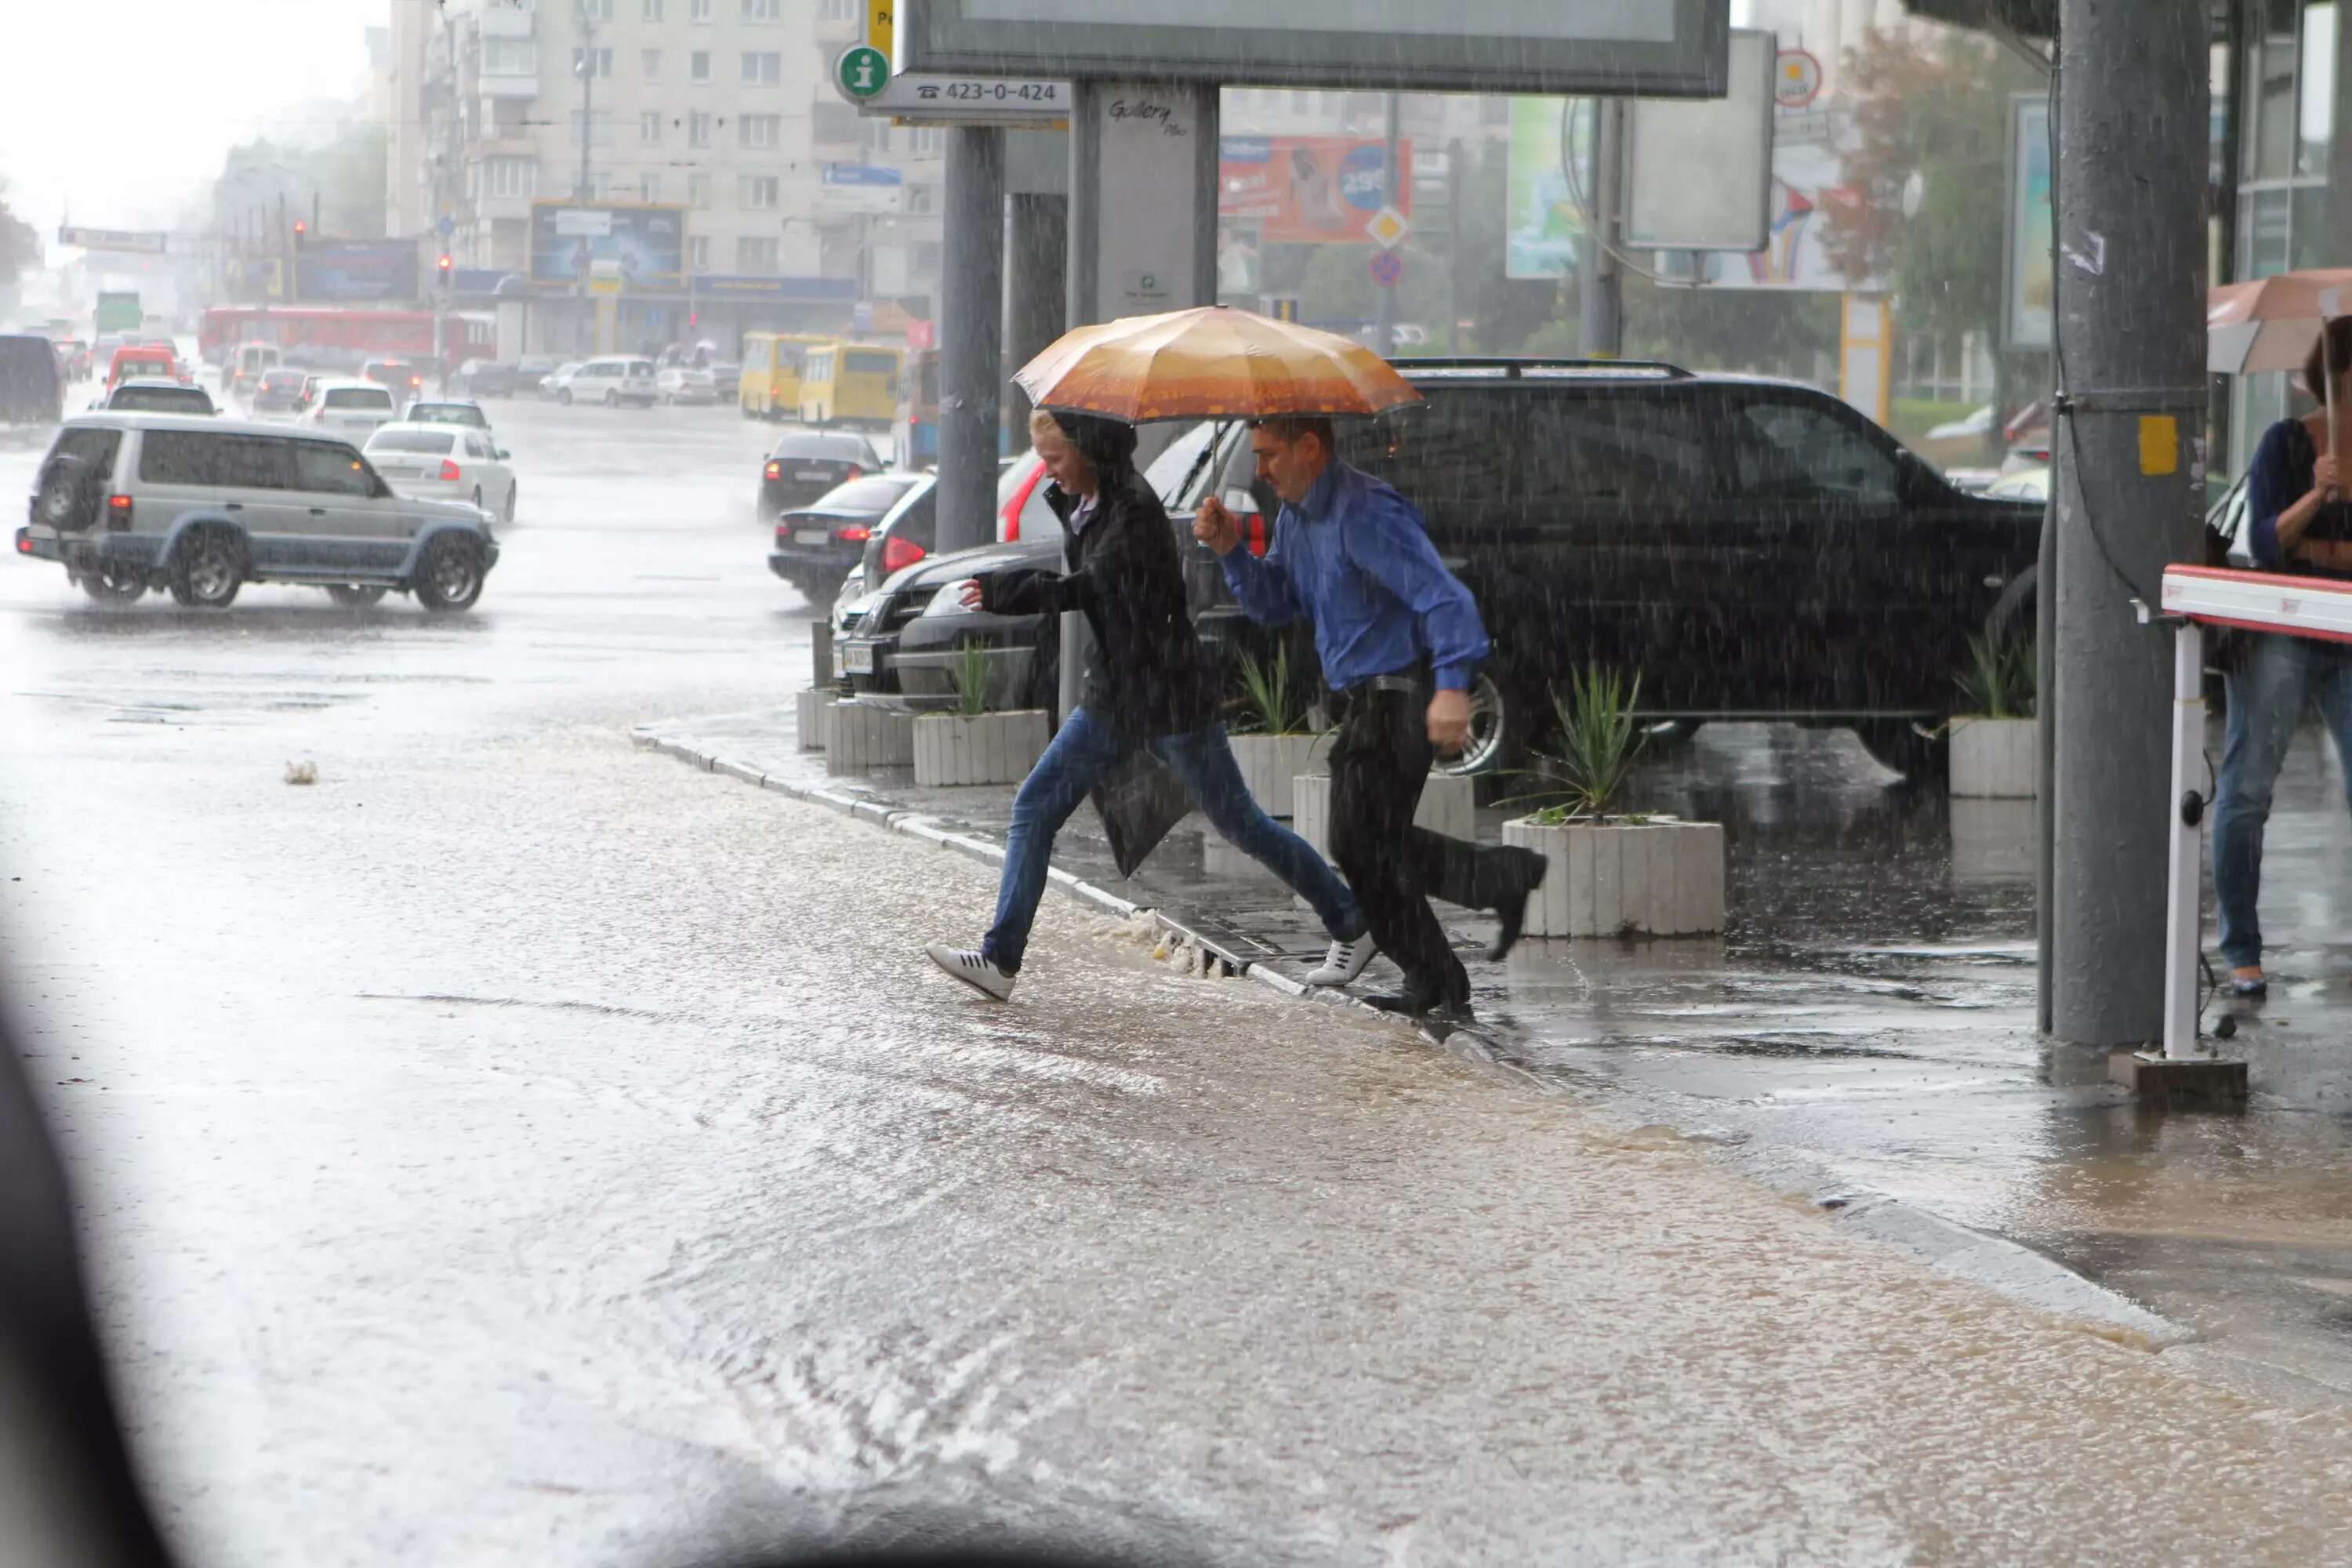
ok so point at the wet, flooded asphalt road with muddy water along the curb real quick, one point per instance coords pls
(521, 1148)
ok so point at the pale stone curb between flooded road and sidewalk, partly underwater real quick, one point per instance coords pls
(1946, 1247)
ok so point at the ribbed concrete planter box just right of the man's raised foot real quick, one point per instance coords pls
(1617, 878)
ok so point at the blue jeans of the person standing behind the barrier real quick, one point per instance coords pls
(2269, 692)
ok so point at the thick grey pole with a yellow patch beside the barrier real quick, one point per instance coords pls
(2132, 105)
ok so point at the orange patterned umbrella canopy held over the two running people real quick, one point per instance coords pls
(1210, 363)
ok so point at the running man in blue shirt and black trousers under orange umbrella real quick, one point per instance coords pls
(1391, 624)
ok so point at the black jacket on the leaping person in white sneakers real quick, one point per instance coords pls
(1149, 674)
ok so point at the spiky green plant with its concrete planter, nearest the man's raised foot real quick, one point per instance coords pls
(1615, 873)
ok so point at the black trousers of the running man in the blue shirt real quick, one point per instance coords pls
(1379, 763)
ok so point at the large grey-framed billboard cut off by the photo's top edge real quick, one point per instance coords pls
(1655, 48)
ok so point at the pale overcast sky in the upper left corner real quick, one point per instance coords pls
(123, 109)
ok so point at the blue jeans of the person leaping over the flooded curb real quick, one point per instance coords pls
(1078, 758)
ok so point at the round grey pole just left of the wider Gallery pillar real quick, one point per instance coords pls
(970, 337)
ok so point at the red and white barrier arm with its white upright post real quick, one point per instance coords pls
(2257, 603)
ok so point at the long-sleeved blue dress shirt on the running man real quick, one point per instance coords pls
(1358, 563)
